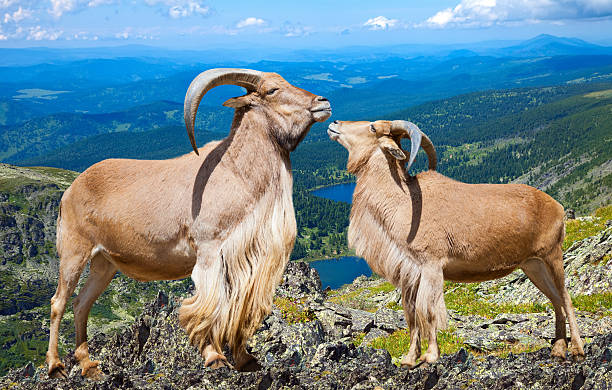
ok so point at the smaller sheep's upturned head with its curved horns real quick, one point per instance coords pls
(362, 139)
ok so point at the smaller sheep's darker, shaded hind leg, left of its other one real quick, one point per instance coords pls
(539, 274)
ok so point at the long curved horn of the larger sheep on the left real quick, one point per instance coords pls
(209, 79)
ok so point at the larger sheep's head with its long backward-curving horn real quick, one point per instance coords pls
(289, 111)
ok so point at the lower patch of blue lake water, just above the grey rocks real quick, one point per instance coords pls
(337, 272)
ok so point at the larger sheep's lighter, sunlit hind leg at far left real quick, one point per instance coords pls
(71, 266)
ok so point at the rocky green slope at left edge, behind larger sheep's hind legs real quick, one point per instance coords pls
(29, 203)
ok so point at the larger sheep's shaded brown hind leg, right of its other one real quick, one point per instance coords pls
(101, 272)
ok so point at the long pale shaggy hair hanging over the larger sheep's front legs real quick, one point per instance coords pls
(235, 285)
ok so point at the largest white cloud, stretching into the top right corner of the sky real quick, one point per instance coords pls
(482, 13)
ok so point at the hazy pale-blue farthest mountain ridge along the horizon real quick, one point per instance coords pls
(541, 45)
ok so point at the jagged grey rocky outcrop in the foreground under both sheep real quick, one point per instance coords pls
(154, 353)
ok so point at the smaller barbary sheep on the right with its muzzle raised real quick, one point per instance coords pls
(417, 231)
